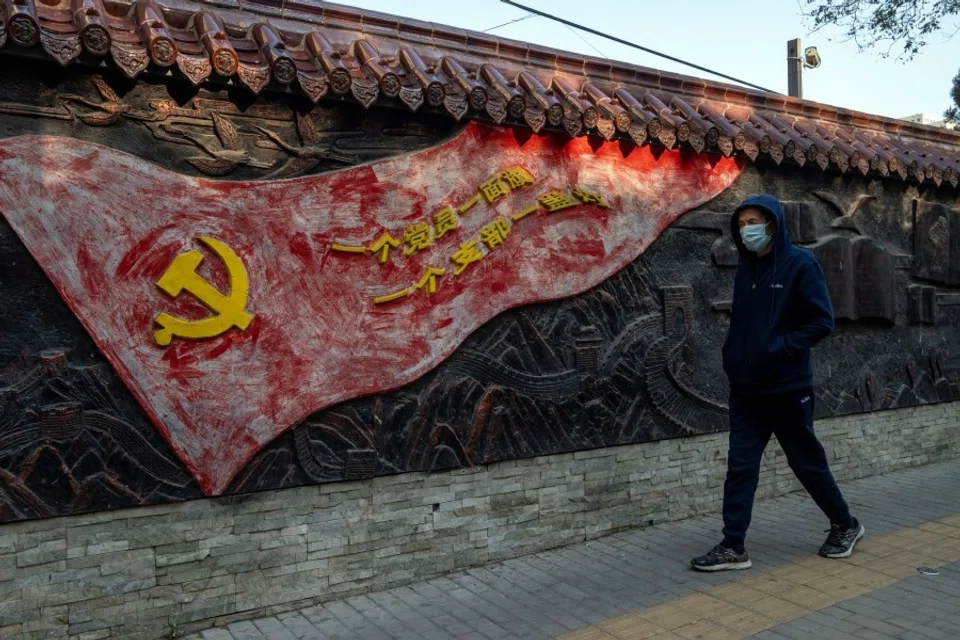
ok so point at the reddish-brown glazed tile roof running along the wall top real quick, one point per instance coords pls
(319, 48)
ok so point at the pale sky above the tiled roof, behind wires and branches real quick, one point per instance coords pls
(742, 38)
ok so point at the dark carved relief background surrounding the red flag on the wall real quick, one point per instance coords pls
(636, 359)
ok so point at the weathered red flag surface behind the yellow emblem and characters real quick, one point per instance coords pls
(105, 225)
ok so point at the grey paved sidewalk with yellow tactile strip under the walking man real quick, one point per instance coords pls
(637, 585)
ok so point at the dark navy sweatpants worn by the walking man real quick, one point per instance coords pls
(790, 417)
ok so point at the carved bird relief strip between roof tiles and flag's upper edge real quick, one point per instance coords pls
(209, 134)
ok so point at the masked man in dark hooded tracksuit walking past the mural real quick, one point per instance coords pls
(781, 308)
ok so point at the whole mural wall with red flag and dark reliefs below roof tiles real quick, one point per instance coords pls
(204, 296)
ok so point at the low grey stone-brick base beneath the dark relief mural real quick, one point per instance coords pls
(148, 572)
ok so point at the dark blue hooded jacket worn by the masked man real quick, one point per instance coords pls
(781, 308)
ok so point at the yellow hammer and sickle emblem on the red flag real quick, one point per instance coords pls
(229, 310)
